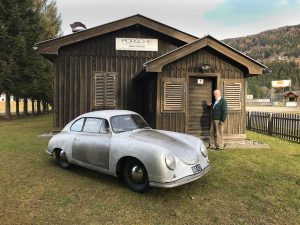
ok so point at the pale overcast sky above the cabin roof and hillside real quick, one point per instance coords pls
(219, 18)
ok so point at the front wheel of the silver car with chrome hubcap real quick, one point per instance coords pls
(135, 175)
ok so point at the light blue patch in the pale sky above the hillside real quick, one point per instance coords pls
(240, 12)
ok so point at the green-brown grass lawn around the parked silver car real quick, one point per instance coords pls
(244, 187)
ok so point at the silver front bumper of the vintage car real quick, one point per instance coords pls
(181, 181)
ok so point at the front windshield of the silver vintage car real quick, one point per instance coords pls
(128, 123)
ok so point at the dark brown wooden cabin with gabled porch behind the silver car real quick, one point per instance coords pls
(142, 65)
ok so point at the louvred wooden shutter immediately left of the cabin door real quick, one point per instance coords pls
(173, 93)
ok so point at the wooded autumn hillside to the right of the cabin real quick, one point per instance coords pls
(279, 49)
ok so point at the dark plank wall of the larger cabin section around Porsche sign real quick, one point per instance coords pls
(76, 64)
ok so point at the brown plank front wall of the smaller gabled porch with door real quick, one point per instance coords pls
(192, 64)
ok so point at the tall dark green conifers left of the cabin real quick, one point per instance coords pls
(23, 72)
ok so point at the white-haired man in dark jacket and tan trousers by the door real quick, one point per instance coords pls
(218, 117)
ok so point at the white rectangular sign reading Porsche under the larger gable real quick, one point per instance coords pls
(137, 44)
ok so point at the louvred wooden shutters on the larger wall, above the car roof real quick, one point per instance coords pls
(105, 90)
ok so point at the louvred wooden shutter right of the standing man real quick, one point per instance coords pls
(233, 95)
